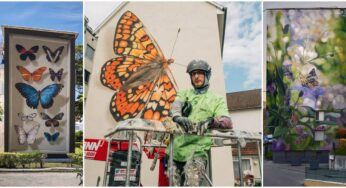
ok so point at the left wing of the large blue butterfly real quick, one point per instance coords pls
(29, 93)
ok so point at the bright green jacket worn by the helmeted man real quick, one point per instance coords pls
(203, 106)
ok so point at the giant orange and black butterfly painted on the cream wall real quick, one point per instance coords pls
(139, 74)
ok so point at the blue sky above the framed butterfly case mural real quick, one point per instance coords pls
(65, 16)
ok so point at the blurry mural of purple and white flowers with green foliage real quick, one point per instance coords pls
(306, 77)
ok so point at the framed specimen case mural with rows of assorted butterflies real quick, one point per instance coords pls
(29, 90)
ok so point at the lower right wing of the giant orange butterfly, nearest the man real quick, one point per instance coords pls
(160, 101)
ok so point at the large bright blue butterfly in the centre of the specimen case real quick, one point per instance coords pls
(33, 96)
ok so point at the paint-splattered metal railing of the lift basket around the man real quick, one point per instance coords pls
(135, 127)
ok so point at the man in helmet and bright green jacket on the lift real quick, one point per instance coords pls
(190, 152)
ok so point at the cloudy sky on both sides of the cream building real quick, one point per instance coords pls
(242, 55)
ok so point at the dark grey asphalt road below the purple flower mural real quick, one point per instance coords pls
(282, 174)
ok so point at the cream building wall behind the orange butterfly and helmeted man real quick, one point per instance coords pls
(198, 38)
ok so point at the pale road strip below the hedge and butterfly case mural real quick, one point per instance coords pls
(38, 179)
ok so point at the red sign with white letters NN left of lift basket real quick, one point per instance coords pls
(95, 149)
